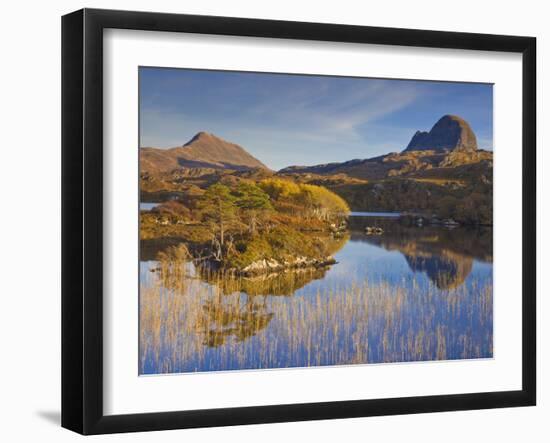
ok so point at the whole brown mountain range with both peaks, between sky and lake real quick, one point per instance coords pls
(441, 172)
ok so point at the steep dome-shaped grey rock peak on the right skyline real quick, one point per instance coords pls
(450, 133)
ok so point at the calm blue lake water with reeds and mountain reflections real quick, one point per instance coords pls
(410, 294)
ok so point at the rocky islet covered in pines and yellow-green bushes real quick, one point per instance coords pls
(237, 223)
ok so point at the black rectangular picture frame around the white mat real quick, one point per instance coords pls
(82, 218)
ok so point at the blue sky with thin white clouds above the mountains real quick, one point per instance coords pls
(303, 120)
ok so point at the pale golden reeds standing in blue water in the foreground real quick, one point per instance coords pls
(191, 325)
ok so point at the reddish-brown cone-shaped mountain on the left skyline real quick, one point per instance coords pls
(204, 150)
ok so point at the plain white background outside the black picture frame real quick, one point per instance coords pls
(30, 220)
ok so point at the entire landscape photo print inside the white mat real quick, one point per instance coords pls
(304, 220)
